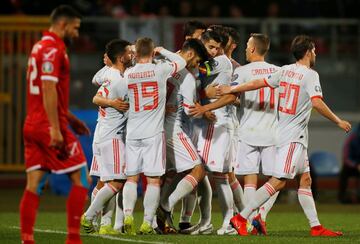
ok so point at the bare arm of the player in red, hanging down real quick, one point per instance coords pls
(50, 105)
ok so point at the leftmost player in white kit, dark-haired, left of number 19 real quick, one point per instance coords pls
(109, 138)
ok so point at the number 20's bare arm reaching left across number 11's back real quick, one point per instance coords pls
(248, 86)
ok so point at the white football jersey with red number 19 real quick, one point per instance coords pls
(147, 96)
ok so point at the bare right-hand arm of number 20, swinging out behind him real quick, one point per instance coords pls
(320, 106)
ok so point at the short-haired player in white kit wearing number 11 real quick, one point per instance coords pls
(258, 124)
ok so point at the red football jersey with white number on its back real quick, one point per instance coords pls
(48, 61)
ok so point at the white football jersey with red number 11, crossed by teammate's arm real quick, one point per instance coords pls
(257, 108)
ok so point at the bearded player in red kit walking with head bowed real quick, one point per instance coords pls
(49, 143)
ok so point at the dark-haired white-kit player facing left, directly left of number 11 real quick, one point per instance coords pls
(215, 139)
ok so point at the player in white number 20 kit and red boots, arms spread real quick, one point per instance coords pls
(299, 92)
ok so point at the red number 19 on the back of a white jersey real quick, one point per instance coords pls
(148, 89)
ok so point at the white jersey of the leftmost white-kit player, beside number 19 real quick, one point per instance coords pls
(111, 122)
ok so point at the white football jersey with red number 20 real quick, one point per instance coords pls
(297, 84)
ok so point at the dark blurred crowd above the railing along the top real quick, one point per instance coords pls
(187, 8)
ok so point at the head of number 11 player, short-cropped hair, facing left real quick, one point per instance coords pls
(257, 45)
